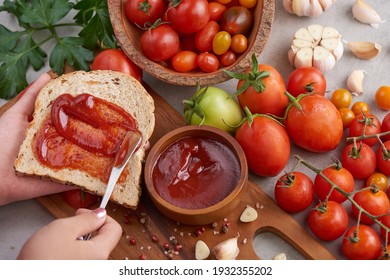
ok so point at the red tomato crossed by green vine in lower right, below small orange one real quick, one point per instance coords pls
(372, 200)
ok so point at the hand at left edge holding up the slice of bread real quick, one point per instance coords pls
(13, 125)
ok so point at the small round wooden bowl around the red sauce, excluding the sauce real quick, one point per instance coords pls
(190, 130)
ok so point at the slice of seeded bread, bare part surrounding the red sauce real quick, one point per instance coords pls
(115, 87)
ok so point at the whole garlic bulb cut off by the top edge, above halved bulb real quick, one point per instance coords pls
(308, 8)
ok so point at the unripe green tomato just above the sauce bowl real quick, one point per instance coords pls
(214, 107)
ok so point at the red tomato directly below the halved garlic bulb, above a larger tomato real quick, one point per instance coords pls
(306, 80)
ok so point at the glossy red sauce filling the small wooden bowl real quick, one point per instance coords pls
(196, 172)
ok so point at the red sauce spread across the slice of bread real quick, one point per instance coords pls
(83, 132)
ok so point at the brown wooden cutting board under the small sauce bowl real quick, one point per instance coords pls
(147, 222)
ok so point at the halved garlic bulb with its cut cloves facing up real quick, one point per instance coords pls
(317, 46)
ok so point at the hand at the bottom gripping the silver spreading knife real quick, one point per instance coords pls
(60, 239)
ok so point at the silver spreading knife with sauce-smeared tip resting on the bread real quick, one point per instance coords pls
(129, 145)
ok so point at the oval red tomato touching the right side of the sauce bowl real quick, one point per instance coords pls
(265, 143)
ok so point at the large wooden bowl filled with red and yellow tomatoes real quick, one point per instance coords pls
(188, 49)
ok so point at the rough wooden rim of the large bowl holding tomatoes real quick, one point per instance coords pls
(258, 43)
